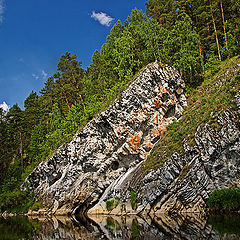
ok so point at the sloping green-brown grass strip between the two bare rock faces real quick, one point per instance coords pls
(215, 95)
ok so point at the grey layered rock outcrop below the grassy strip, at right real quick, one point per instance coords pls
(183, 183)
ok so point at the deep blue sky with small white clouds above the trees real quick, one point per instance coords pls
(35, 33)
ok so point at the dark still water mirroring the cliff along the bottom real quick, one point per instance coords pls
(121, 227)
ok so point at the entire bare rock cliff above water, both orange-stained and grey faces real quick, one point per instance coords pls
(102, 170)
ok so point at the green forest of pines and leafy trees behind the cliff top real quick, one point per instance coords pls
(194, 36)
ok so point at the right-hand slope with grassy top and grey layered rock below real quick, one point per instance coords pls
(204, 155)
